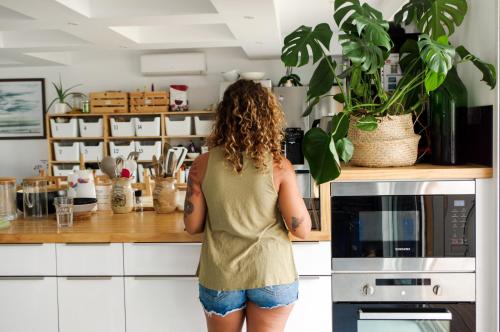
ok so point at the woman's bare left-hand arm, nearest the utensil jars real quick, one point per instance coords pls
(195, 207)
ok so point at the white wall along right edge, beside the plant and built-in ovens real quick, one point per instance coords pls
(479, 34)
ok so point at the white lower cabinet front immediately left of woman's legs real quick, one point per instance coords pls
(163, 304)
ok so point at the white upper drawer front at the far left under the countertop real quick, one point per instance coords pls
(27, 259)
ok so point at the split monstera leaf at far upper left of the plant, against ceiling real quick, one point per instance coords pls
(295, 52)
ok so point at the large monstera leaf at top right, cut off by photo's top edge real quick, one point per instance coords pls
(433, 17)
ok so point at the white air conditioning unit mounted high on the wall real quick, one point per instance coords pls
(173, 64)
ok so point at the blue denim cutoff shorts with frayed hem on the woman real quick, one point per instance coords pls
(222, 303)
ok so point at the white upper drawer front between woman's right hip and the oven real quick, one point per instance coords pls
(312, 258)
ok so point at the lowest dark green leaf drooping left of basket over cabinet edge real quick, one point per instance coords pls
(321, 160)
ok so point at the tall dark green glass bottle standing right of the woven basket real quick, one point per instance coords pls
(448, 109)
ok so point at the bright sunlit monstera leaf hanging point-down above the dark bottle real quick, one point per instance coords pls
(437, 56)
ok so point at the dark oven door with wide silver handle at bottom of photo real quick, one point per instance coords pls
(398, 317)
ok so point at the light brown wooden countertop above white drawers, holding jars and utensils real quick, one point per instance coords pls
(107, 227)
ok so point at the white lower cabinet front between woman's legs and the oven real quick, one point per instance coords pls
(313, 310)
